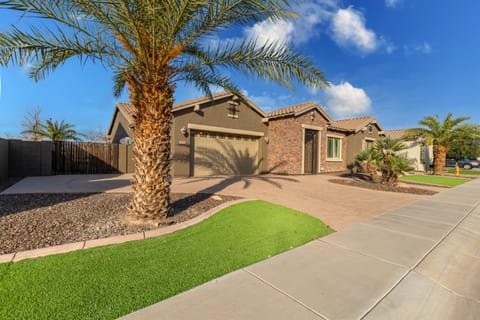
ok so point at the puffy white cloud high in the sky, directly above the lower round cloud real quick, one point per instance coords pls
(349, 30)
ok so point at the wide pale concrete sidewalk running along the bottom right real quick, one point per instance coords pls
(421, 261)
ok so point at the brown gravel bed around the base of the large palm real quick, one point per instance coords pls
(31, 221)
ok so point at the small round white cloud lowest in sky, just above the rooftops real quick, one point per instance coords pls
(346, 100)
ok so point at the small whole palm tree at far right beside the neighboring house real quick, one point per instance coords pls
(441, 135)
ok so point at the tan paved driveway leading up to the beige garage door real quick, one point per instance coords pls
(337, 205)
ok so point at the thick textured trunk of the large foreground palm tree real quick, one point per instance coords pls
(151, 151)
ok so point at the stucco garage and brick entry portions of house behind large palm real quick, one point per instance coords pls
(225, 136)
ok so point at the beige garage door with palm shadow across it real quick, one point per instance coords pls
(224, 154)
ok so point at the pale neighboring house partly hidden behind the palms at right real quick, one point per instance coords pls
(417, 153)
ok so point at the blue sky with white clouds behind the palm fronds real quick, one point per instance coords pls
(397, 60)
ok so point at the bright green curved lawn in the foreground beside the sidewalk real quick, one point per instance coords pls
(107, 282)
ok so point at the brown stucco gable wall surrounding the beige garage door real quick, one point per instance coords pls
(213, 114)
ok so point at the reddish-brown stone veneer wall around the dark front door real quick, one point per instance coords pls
(286, 139)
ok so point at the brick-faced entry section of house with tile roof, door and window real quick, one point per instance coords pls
(301, 142)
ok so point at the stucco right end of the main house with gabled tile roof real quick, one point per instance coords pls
(362, 133)
